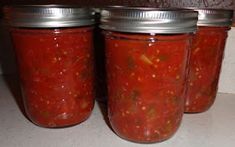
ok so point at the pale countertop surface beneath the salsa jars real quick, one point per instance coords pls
(214, 128)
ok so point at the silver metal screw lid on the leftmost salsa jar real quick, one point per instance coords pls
(48, 16)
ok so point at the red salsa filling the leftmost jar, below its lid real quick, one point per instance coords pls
(56, 70)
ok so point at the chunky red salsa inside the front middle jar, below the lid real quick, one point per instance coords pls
(146, 84)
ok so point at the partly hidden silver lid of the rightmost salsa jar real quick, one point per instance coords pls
(214, 17)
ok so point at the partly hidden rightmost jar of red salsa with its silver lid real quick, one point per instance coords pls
(206, 58)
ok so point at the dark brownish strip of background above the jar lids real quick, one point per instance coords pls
(227, 4)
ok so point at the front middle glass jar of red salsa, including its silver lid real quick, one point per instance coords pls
(147, 52)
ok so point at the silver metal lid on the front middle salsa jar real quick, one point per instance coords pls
(148, 20)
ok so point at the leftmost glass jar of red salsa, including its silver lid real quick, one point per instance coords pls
(54, 49)
